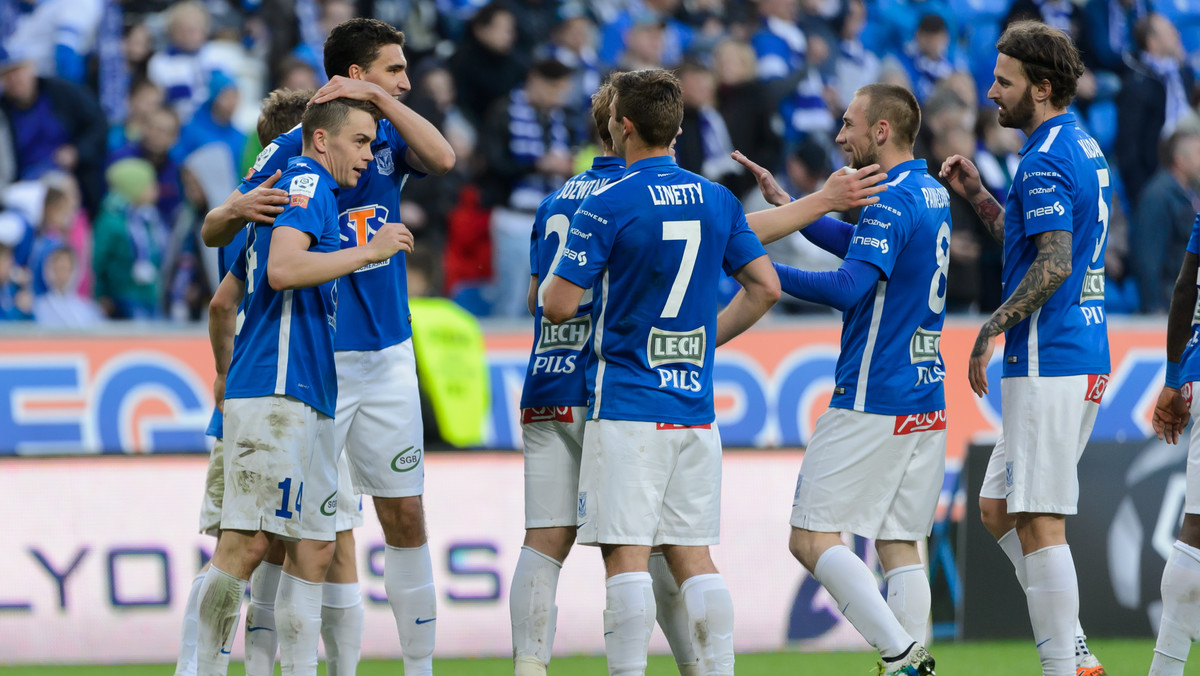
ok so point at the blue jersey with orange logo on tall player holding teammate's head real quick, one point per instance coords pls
(373, 309)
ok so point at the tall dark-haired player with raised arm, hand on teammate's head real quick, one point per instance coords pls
(379, 410)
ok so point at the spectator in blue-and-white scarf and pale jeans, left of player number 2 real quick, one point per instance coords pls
(526, 147)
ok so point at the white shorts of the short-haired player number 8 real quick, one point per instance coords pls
(874, 476)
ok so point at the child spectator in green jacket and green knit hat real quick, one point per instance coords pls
(128, 256)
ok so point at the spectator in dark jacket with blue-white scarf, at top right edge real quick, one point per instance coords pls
(1156, 94)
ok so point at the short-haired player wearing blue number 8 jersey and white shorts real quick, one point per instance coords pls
(875, 464)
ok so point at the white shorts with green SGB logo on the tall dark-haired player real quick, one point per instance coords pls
(379, 421)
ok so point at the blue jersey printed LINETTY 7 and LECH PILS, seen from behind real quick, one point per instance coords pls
(652, 247)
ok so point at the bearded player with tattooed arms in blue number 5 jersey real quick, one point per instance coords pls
(1057, 348)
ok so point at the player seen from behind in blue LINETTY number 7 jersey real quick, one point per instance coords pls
(651, 248)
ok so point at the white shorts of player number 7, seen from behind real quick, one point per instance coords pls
(650, 484)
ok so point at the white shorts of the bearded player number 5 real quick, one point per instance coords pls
(1047, 422)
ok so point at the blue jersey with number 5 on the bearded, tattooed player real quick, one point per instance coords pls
(1063, 184)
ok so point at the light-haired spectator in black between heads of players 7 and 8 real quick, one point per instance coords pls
(748, 110)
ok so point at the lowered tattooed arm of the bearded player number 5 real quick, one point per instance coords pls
(1049, 270)
